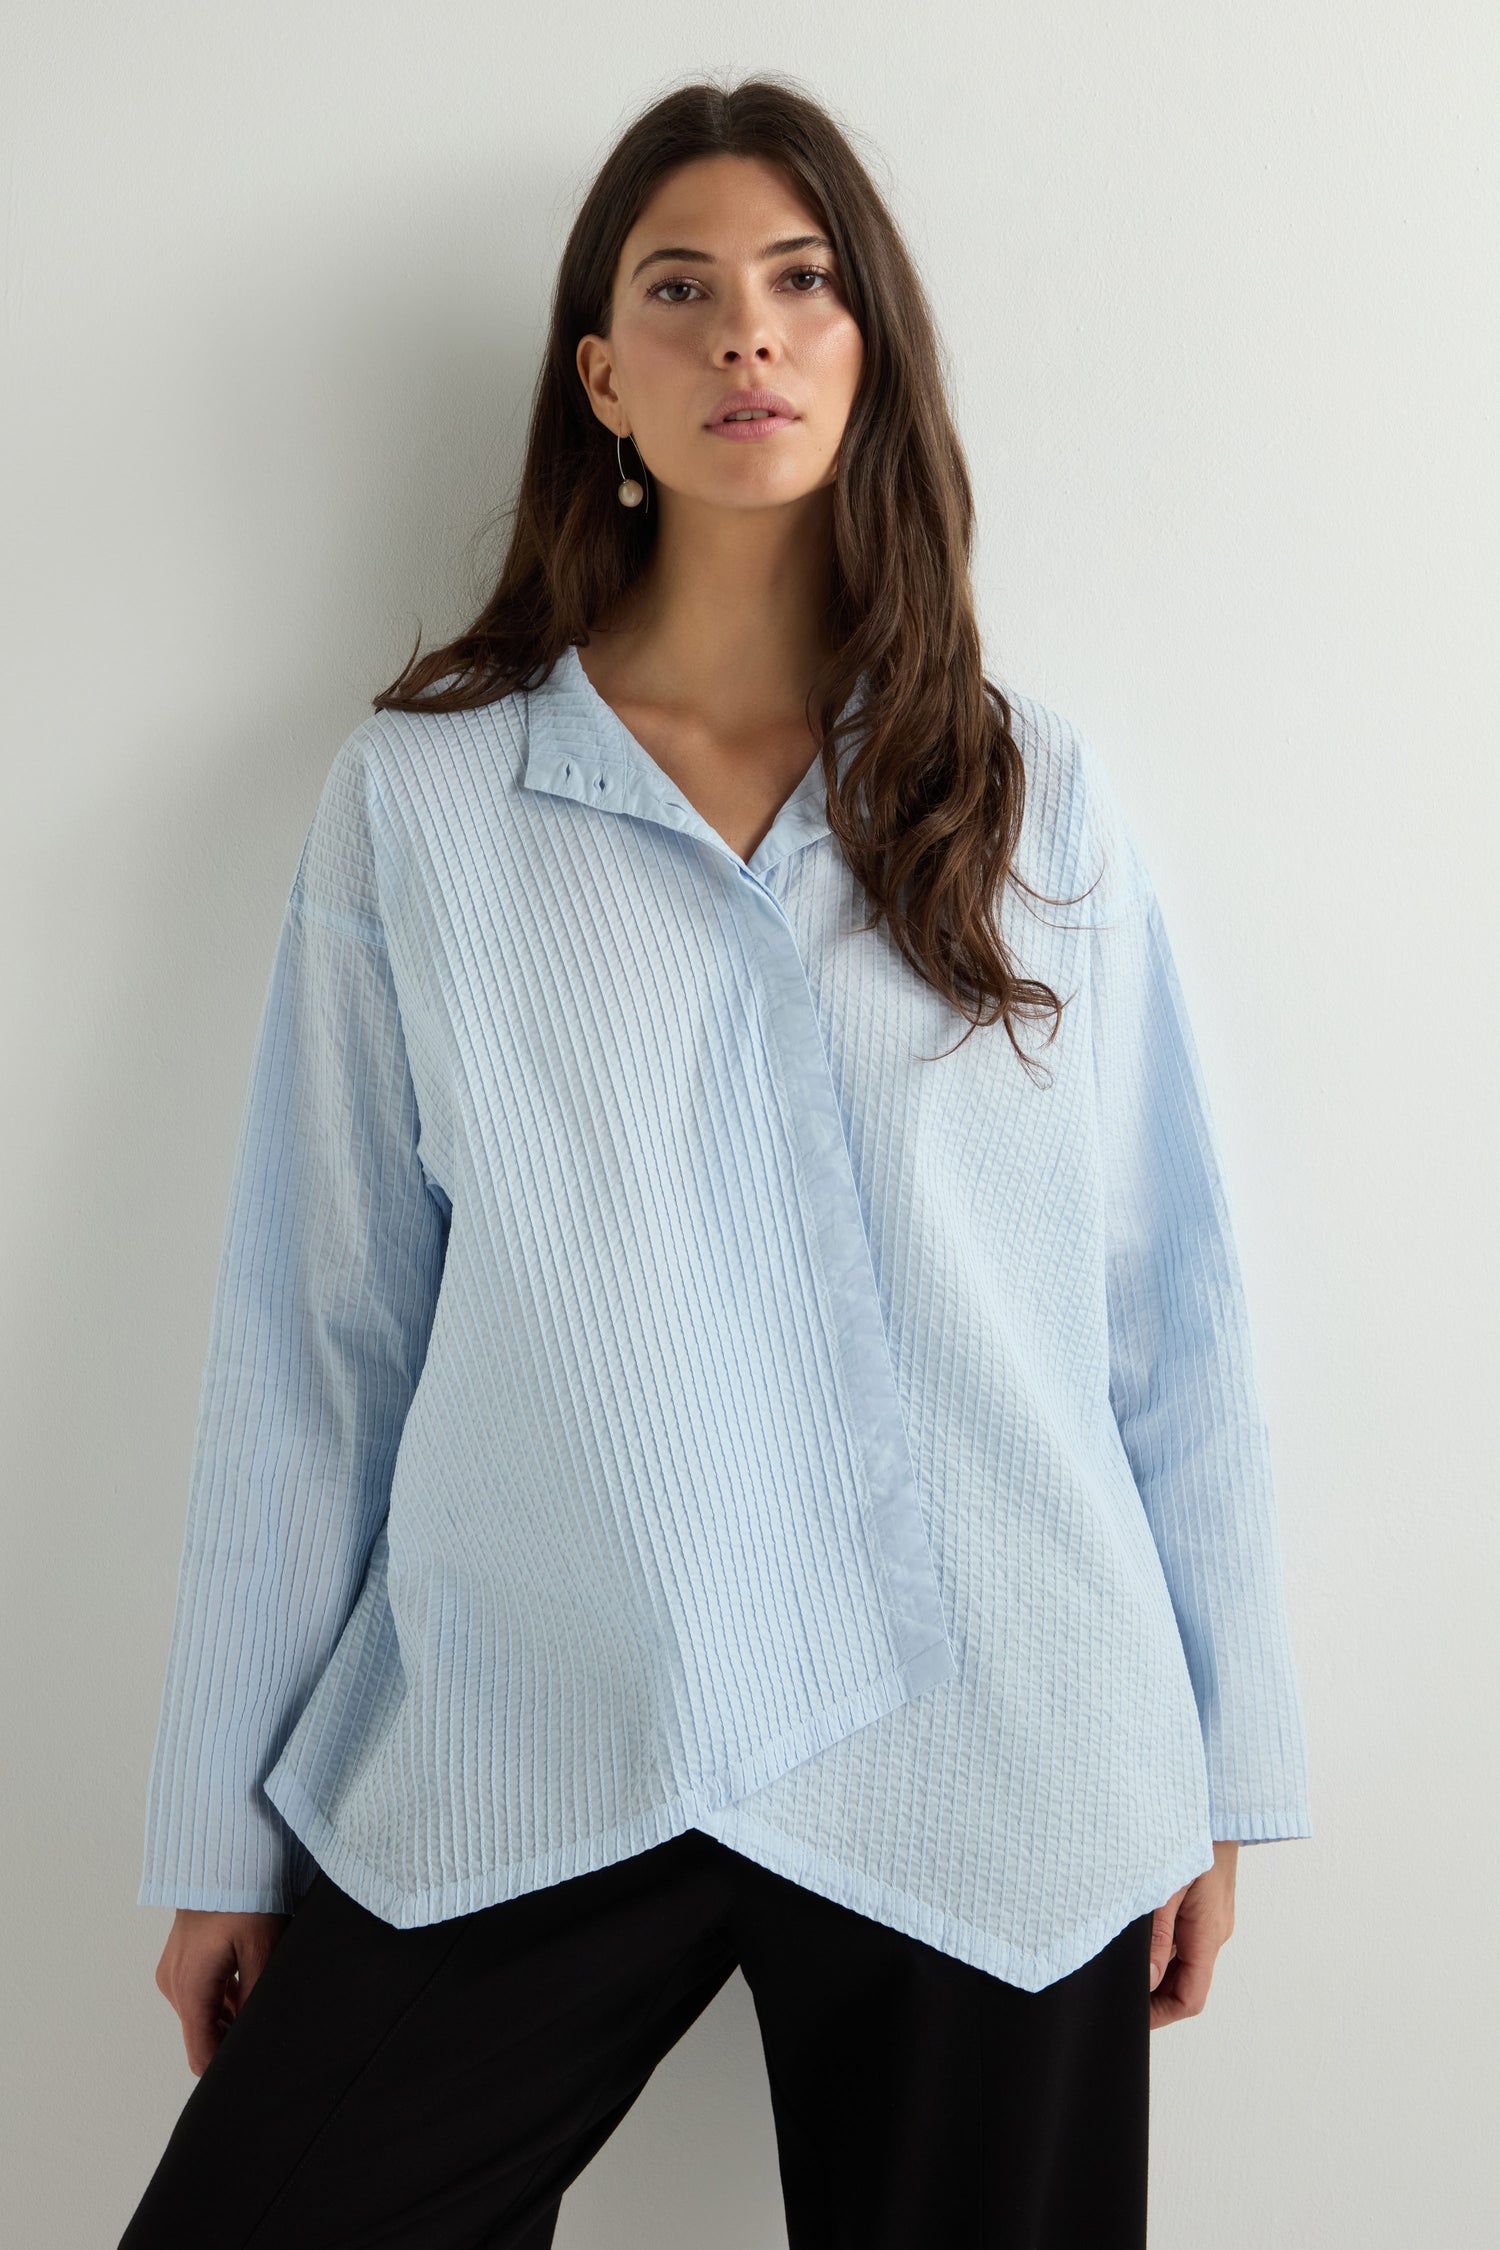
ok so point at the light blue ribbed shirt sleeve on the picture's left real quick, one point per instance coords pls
(327, 1286)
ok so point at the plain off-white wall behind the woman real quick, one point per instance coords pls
(1220, 296)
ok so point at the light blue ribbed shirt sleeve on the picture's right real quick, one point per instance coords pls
(1182, 1365)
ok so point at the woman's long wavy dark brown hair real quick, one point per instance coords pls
(930, 807)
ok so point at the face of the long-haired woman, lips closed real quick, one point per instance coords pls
(725, 287)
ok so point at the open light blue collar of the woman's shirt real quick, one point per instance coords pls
(577, 746)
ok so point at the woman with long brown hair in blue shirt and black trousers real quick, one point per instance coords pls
(703, 1459)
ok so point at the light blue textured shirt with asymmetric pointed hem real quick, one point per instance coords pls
(644, 1394)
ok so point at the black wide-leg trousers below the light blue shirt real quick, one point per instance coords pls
(440, 2089)
